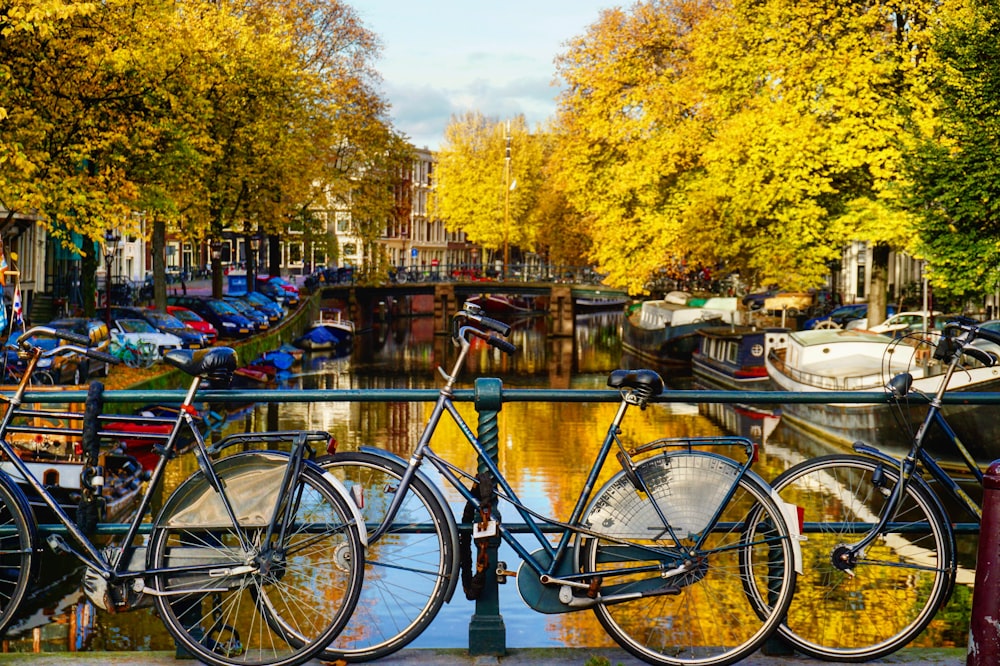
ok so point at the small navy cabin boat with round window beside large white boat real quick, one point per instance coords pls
(731, 357)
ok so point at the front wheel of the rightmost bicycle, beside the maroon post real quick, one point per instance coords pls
(895, 591)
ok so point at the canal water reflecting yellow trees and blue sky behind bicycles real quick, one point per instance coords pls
(545, 450)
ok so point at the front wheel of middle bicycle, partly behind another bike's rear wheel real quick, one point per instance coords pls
(408, 575)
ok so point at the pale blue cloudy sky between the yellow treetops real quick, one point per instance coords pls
(448, 57)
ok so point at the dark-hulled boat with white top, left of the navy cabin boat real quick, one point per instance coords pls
(665, 331)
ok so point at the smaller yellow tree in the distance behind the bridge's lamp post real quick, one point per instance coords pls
(486, 191)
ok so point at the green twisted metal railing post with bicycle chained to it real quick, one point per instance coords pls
(487, 632)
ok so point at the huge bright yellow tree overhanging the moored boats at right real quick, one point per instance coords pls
(757, 136)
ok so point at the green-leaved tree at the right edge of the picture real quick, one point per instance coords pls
(955, 165)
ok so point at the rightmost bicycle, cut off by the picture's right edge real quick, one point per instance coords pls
(879, 559)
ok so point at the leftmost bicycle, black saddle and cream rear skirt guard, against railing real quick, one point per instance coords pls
(251, 560)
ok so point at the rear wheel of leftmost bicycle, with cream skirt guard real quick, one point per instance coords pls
(242, 616)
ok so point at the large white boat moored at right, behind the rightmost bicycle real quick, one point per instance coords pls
(837, 360)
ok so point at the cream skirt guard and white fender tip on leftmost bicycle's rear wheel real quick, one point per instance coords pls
(246, 476)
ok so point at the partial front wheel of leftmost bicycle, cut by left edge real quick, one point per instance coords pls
(18, 536)
